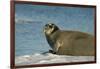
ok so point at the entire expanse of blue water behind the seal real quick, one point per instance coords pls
(30, 20)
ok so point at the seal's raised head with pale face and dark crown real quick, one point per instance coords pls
(50, 28)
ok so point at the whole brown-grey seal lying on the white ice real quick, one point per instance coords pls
(73, 43)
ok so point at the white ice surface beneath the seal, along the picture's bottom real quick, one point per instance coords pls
(50, 58)
